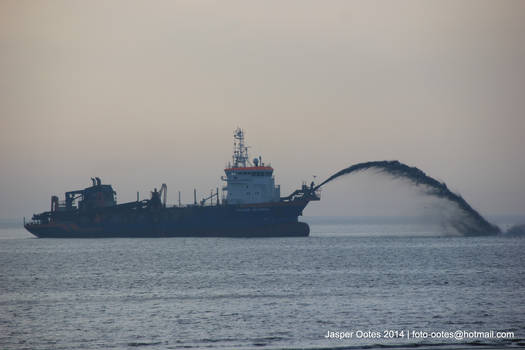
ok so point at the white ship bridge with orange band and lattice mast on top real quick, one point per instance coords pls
(248, 182)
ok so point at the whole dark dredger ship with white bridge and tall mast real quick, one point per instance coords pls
(250, 206)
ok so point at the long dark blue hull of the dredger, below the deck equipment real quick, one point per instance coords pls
(279, 219)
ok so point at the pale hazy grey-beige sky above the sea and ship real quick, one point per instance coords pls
(145, 92)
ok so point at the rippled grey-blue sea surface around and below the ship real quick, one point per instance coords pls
(272, 293)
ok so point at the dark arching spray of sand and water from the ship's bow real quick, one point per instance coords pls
(468, 221)
